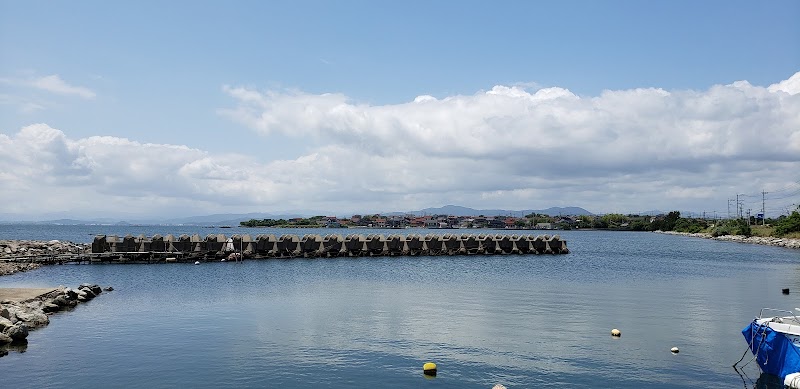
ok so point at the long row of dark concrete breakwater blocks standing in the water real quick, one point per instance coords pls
(218, 246)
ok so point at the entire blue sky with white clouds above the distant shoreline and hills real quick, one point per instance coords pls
(181, 108)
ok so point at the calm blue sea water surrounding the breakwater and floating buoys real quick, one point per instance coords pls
(523, 321)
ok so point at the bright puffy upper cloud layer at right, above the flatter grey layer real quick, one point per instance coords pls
(618, 131)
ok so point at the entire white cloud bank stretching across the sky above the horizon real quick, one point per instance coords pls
(508, 147)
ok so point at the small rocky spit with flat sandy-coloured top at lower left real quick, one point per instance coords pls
(19, 315)
